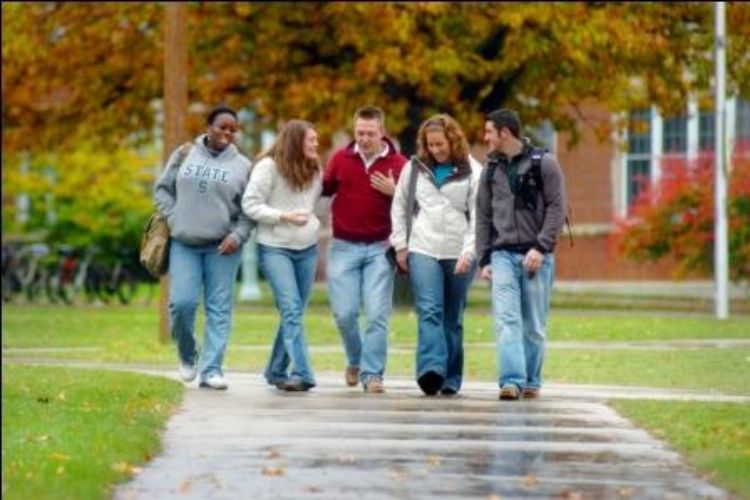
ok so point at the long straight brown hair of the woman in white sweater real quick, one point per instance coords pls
(289, 155)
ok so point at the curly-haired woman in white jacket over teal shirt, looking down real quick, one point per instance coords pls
(439, 253)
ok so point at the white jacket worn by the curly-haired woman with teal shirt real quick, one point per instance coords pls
(444, 225)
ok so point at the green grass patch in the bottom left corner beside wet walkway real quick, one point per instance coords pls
(71, 433)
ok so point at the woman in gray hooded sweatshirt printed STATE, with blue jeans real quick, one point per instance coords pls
(199, 194)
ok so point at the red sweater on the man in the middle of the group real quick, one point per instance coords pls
(360, 213)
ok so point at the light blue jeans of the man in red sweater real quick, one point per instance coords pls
(360, 272)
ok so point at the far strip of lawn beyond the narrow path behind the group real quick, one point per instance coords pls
(62, 326)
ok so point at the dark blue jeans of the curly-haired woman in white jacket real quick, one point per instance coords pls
(439, 300)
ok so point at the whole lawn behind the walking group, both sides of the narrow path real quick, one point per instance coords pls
(128, 335)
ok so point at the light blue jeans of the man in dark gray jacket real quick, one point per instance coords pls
(520, 307)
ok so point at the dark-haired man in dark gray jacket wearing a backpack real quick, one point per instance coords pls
(520, 212)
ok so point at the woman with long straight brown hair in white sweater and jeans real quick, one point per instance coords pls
(284, 185)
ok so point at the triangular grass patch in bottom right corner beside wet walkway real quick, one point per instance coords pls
(714, 437)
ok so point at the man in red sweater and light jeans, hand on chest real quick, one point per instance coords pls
(362, 178)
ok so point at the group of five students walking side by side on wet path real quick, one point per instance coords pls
(438, 216)
